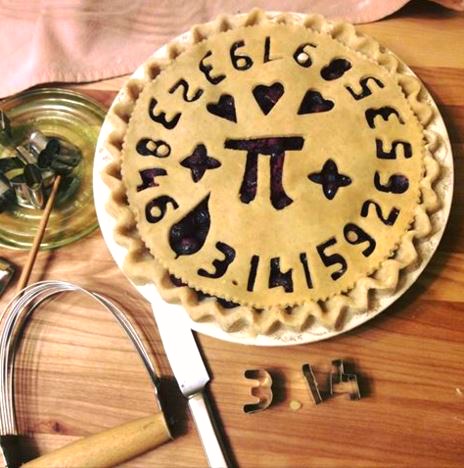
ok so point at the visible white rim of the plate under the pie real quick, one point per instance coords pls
(380, 301)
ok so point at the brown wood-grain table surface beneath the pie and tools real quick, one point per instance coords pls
(77, 374)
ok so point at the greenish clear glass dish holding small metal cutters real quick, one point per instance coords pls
(75, 119)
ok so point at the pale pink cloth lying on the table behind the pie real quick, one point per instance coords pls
(85, 40)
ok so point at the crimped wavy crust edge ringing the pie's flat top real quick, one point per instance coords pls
(141, 266)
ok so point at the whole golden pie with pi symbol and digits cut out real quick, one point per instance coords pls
(270, 169)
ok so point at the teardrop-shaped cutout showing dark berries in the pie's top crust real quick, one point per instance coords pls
(187, 236)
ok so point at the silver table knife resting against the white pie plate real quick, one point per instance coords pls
(190, 372)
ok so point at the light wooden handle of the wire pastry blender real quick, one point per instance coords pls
(109, 448)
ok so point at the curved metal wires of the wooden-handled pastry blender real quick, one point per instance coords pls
(12, 322)
